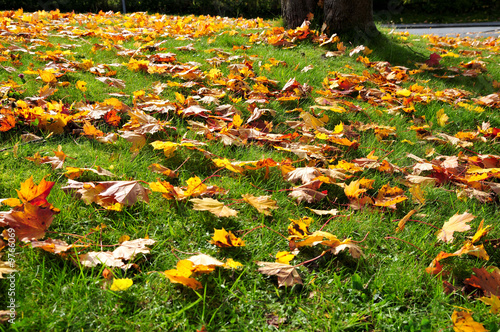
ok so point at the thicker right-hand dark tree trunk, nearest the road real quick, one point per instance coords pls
(350, 16)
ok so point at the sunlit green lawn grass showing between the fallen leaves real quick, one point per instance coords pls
(387, 290)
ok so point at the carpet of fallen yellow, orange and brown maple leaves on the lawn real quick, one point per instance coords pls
(312, 136)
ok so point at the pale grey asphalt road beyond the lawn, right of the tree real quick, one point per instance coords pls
(484, 29)
